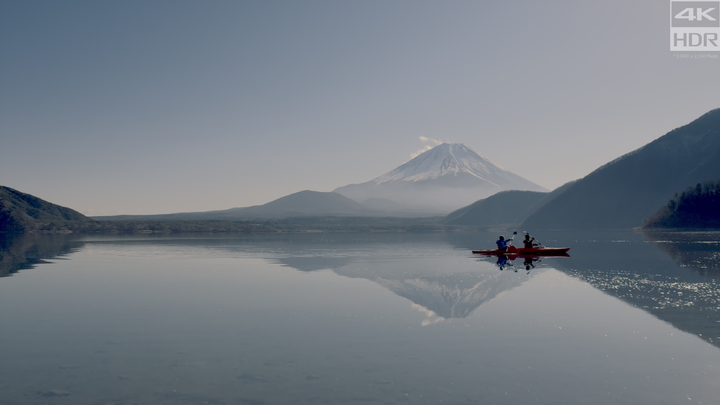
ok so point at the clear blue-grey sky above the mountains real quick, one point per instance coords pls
(146, 107)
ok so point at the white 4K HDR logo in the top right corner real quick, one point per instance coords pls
(694, 25)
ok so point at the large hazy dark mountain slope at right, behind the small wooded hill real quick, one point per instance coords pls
(623, 192)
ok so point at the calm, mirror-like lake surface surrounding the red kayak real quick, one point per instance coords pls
(628, 318)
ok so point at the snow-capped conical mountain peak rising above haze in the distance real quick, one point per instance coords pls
(446, 177)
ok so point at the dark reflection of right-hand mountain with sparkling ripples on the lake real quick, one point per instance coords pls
(673, 276)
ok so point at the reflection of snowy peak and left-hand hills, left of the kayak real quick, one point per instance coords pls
(440, 292)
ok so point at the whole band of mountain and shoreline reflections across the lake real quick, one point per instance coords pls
(672, 275)
